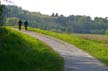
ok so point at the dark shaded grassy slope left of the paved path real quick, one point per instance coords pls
(20, 52)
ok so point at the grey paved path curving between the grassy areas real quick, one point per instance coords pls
(74, 58)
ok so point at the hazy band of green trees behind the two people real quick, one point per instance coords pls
(59, 23)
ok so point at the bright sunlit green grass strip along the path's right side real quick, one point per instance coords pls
(96, 48)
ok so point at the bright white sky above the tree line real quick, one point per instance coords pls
(93, 8)
